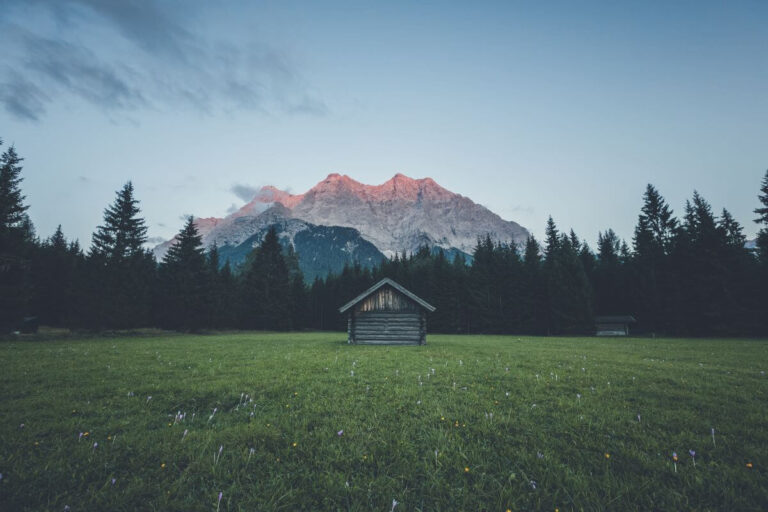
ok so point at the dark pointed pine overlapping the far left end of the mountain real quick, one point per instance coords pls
(184, 282)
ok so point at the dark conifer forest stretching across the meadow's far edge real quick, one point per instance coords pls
(690, 276)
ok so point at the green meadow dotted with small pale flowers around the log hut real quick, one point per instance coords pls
(302, 421)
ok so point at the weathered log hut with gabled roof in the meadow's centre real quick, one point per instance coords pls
(387, 314)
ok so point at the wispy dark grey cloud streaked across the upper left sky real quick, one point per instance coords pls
(124, 56)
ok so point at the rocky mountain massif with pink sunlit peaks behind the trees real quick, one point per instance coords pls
(399, 215)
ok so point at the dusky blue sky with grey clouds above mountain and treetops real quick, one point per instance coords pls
(531, 109)
